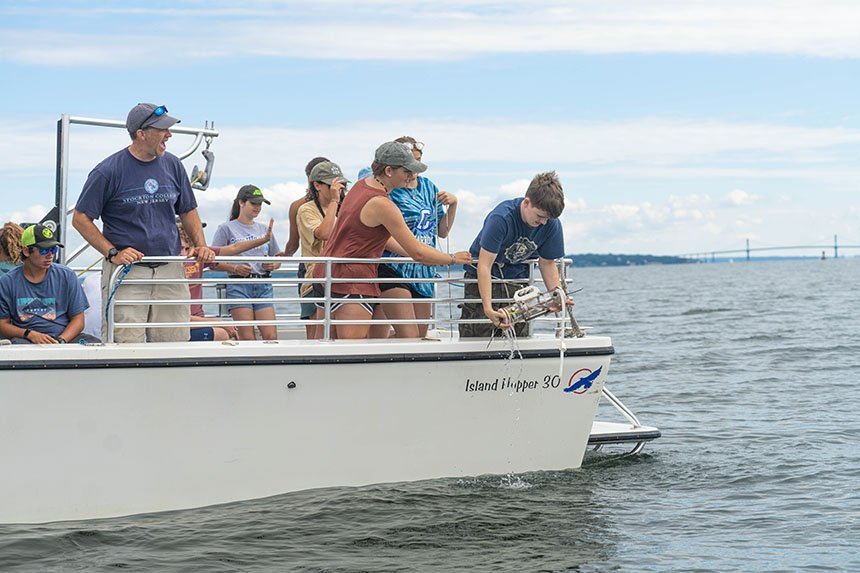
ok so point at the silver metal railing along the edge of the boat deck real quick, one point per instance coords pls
(286, 277)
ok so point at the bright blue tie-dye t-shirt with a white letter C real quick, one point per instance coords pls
(422, 214)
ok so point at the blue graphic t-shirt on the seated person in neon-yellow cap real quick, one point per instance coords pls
(45, 307)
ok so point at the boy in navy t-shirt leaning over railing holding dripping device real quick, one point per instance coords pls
(515, 231)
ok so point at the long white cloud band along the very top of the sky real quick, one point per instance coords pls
(443, 30)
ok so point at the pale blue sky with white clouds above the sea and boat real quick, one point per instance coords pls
(675, 126)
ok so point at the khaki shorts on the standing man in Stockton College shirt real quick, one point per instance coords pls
(146, 312)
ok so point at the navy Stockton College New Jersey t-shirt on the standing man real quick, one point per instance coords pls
(138, 201)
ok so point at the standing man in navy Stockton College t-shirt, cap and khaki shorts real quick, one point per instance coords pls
(137, 192)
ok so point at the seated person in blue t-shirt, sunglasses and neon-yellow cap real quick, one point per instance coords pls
(42, 302)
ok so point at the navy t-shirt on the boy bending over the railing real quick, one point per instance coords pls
(506, 234)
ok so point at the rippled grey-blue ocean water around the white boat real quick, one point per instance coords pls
(752, 372)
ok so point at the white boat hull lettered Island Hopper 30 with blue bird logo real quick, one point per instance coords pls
(110, 430)
